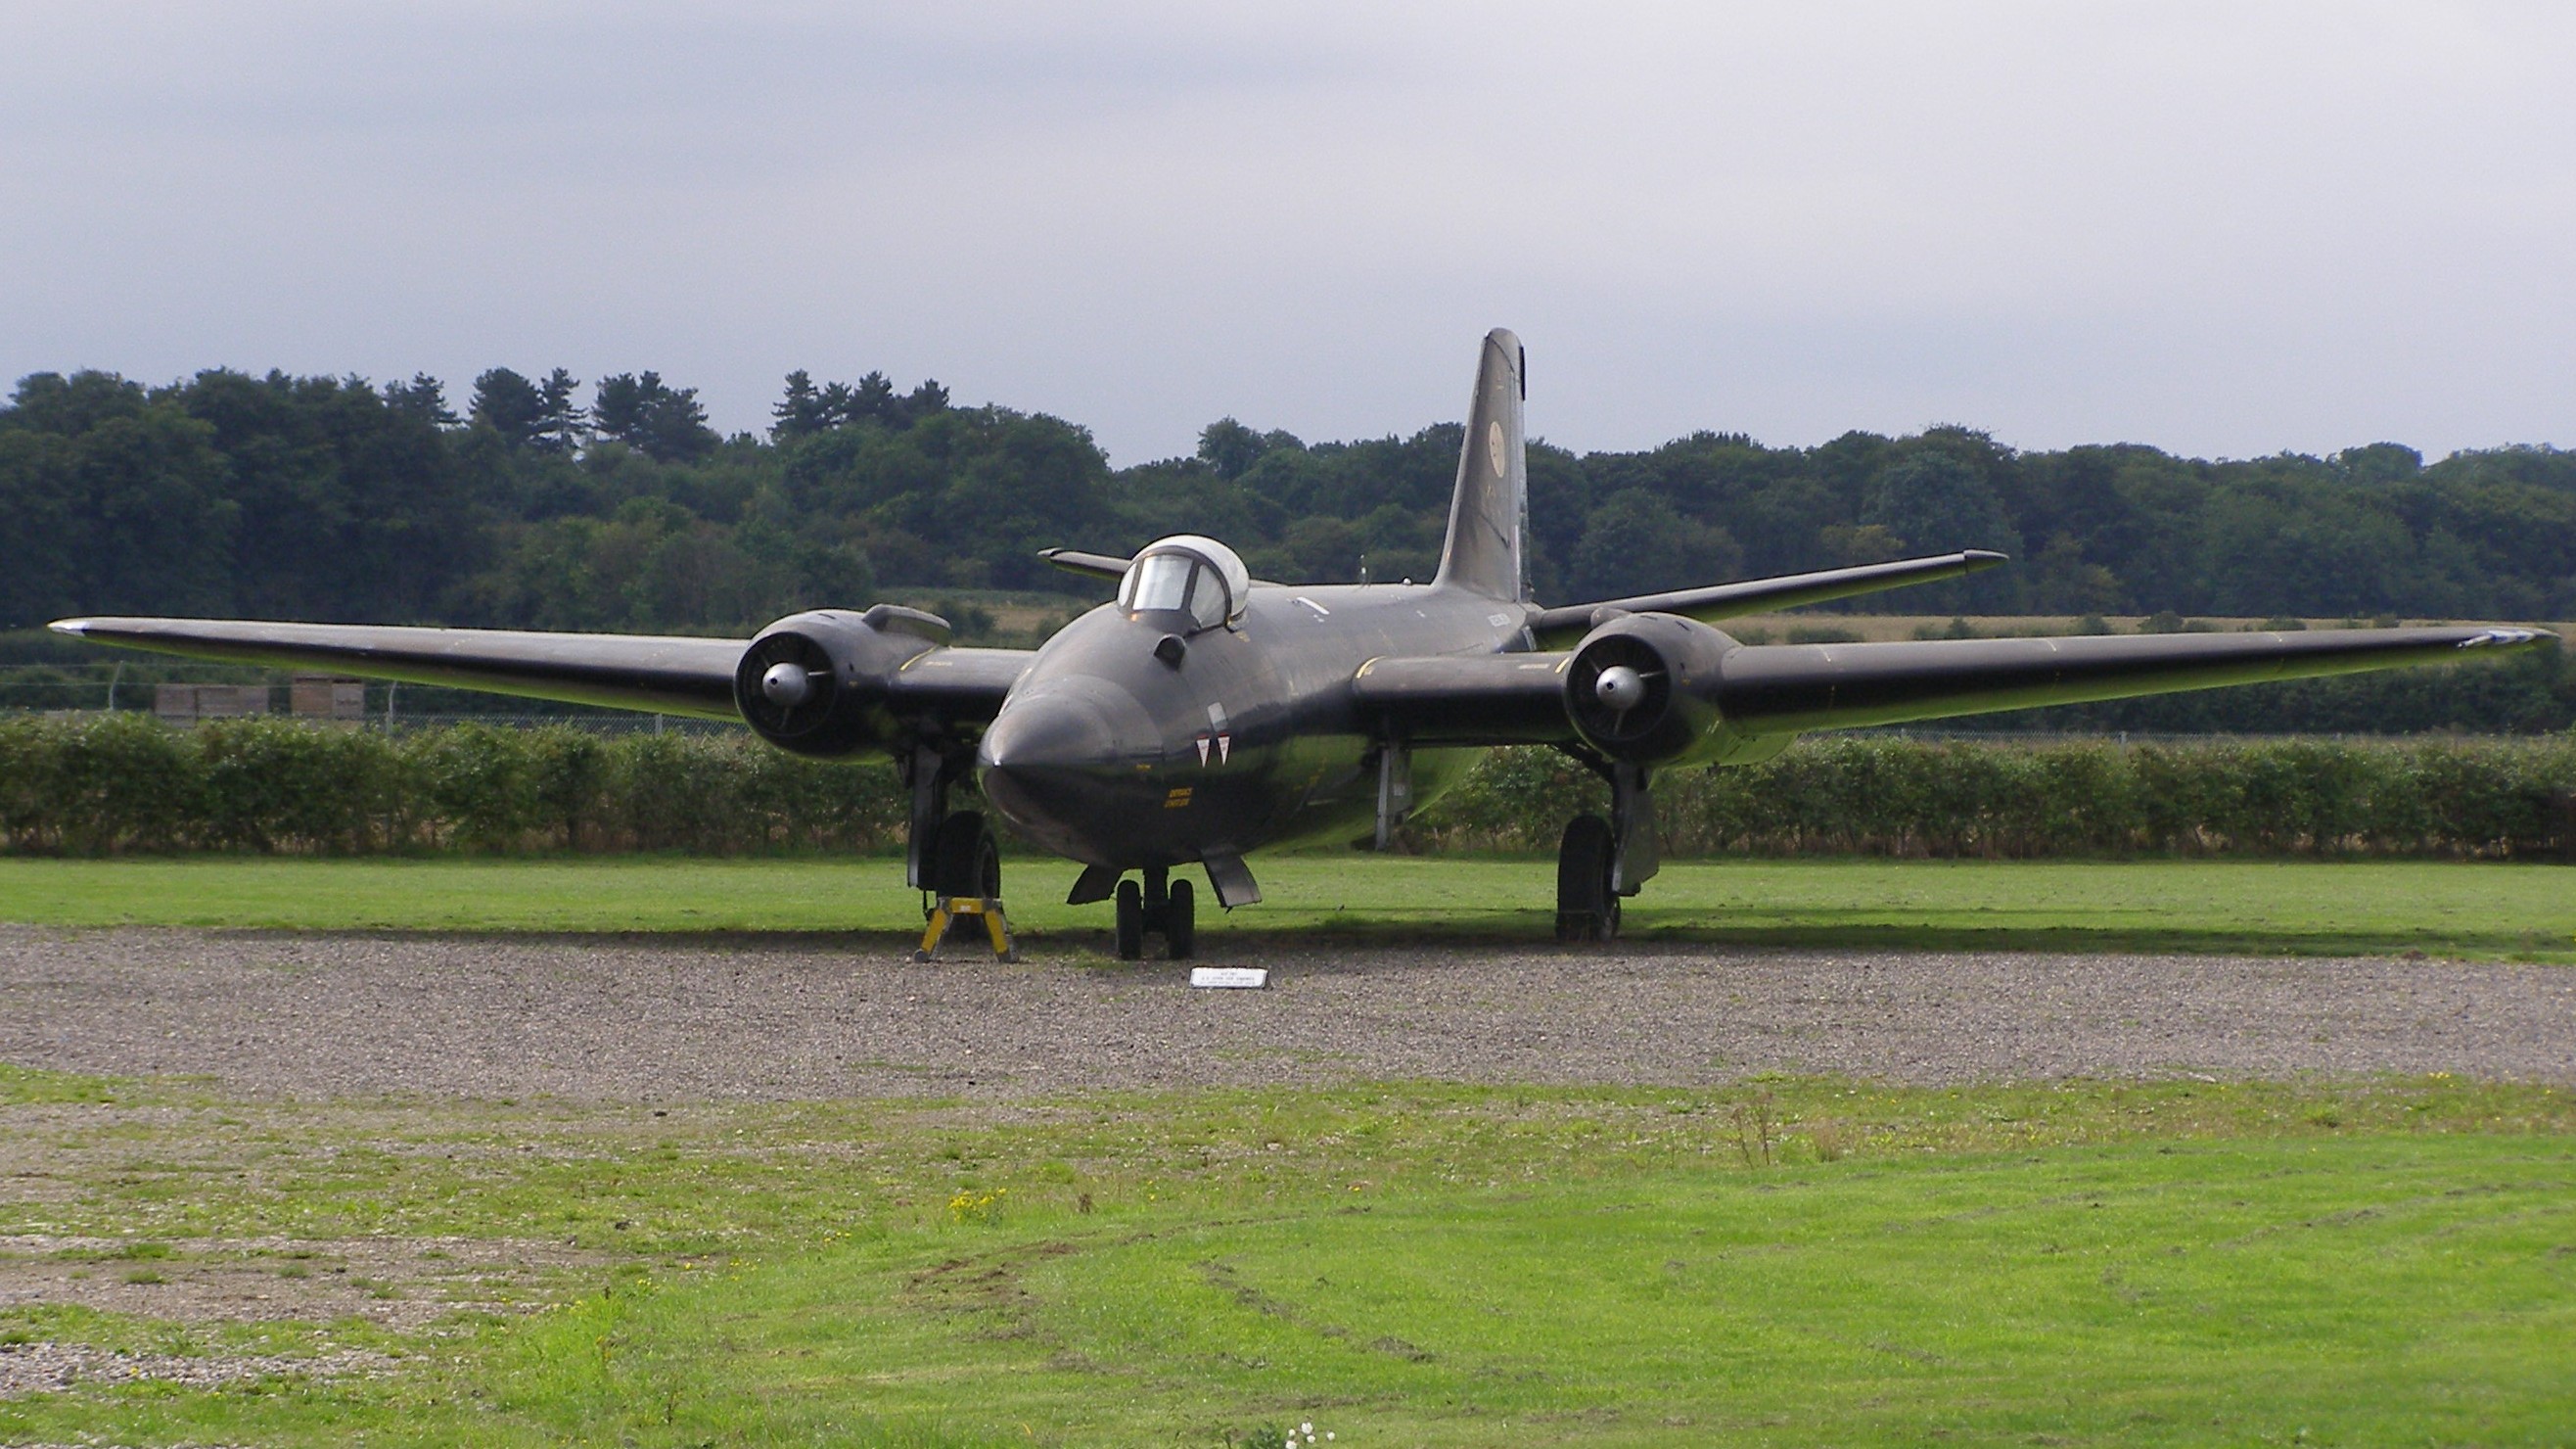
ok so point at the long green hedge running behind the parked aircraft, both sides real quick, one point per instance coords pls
(269, 785)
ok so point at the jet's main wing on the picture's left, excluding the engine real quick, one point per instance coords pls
(661, 674)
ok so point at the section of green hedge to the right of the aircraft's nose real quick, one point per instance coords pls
(1913, 798)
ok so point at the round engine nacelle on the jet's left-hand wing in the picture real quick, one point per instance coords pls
(818, 682)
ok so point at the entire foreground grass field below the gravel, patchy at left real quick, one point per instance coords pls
(1794, 1262)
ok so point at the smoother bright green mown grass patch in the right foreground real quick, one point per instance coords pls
(2363, 1293)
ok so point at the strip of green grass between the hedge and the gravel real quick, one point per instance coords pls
(2155, 906)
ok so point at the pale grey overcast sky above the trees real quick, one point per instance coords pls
(2222, 228)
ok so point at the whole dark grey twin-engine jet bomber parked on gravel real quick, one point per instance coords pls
(1207, 715)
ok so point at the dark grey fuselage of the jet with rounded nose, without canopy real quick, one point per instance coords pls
(1112, 757)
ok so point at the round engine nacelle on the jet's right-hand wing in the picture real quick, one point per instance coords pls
(1642, 687)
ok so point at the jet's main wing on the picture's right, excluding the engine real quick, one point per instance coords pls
(1786, 690)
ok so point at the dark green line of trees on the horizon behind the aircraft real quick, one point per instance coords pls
(532, 507)
